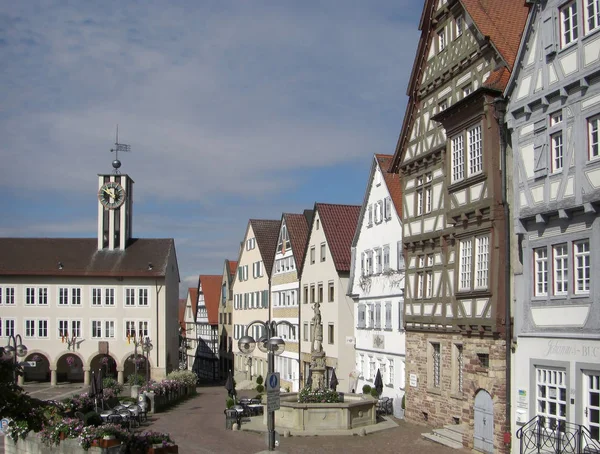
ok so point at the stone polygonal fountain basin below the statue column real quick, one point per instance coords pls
(357, 410)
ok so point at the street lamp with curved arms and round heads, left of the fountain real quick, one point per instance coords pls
(273, 345)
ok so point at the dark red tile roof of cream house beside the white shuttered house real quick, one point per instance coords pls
(339, 224)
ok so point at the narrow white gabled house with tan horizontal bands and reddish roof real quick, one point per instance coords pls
(285, 293)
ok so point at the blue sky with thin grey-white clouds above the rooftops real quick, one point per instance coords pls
(233, 110)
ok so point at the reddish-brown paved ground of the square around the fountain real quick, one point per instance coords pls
(198, 426)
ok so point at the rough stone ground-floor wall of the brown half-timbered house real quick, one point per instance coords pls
(437, 407)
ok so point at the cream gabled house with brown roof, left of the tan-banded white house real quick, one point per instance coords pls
(251, 289)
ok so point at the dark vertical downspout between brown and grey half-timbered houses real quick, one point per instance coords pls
(500, 107)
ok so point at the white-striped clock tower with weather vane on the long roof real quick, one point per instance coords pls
(115, 202)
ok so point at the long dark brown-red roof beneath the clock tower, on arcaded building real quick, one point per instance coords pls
(81, 257)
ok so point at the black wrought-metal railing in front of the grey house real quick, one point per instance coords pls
(556, 437)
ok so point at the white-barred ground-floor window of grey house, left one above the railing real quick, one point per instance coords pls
(551, 396)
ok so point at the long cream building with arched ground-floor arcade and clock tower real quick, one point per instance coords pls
(82, 304)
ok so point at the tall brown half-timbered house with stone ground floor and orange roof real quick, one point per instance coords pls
(454, 219)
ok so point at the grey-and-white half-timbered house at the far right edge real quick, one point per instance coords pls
(554, 120)
